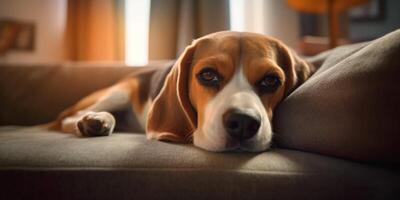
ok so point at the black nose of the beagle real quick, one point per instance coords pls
(239, 125)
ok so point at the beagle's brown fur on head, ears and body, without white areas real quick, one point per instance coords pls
(179, 106)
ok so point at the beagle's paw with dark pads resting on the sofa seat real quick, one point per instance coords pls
(96, 124)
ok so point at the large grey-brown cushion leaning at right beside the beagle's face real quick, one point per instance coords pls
(350, 107)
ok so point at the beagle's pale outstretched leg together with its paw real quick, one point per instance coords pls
(91, 116)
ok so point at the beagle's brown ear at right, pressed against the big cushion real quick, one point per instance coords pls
(297, 70)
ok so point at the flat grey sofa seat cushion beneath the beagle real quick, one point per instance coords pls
(38, 164)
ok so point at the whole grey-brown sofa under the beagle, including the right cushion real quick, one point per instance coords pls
(336, 137)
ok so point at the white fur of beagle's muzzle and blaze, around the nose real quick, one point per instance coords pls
(237, 94)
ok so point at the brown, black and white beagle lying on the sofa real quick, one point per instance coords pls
(219, 95)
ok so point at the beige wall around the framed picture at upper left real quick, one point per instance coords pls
(49, 17)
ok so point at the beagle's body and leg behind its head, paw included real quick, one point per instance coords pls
(92, 116)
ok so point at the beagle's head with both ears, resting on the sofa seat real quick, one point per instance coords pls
(222, 91)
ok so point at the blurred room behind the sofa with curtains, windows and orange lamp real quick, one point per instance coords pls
(136, 32)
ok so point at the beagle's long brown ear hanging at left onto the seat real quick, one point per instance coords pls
(172, 117)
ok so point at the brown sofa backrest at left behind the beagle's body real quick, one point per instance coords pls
(36, 94)
